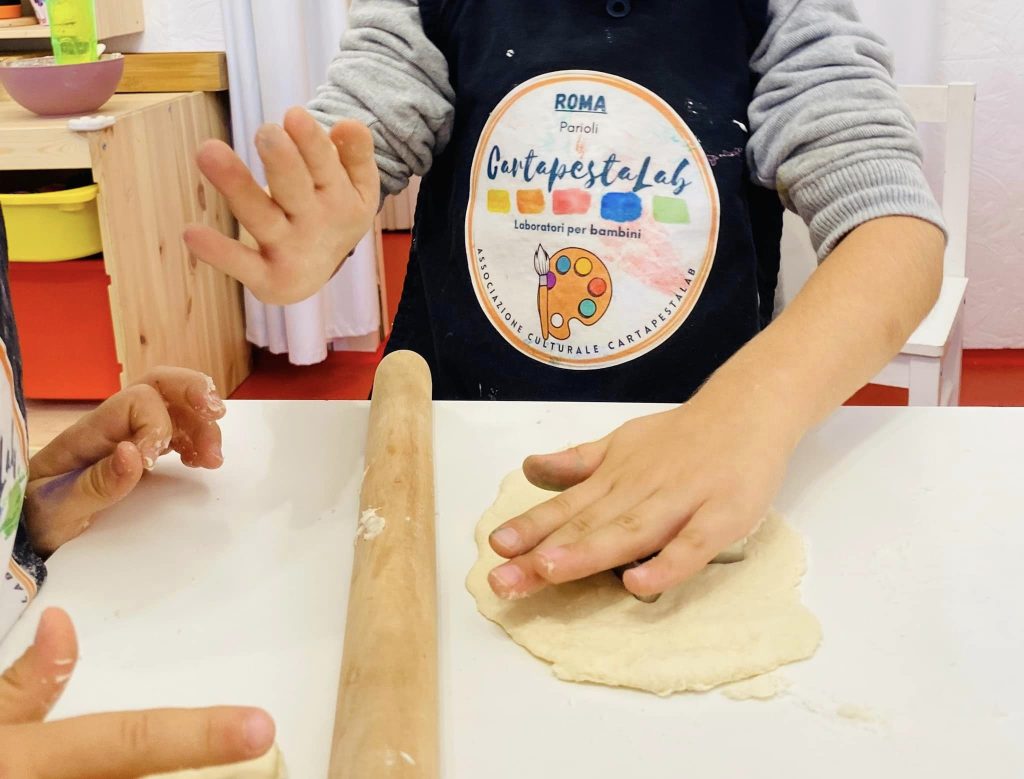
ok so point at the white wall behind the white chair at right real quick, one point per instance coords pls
(980, 41)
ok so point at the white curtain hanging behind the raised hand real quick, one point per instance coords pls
(278, 54)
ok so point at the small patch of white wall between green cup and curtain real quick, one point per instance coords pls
(178, 26)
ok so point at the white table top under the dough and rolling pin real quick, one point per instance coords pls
(231, 587)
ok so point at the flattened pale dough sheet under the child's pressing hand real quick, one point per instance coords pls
(729, 623)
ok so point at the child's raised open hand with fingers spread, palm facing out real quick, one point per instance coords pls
(325, 192)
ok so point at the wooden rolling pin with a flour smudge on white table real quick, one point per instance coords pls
(387, 721)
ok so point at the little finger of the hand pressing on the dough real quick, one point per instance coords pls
(698, 544)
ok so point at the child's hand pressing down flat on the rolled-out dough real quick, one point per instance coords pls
(686, 484)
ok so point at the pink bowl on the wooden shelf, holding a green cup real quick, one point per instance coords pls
(60, 91)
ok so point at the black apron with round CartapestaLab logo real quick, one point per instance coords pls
(545, 154)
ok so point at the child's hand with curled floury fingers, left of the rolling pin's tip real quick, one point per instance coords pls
(100, 460)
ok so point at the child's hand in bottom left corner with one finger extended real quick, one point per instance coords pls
(116, 746)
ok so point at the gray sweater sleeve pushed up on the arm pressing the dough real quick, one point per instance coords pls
(829, 128)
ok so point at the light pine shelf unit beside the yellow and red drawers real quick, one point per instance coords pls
(167, 308)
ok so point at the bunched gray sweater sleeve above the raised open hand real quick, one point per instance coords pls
(392, 78)
